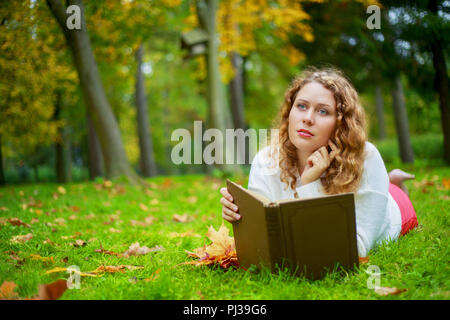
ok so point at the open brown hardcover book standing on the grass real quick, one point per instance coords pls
(309, 236)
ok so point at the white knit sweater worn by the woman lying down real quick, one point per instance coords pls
(378, 216)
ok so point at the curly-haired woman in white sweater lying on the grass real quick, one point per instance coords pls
(323, 150)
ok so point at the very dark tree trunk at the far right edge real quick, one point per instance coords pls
(441, 85)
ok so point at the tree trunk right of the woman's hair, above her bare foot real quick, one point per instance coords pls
(401, 122)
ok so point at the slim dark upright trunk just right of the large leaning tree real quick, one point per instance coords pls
(147, 161)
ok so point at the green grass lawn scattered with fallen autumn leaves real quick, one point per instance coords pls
(417, 262)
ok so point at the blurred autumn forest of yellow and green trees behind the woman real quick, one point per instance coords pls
(104, 100)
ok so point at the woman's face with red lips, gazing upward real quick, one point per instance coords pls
(313, 117)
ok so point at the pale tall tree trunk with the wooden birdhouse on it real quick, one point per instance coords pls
(218, 113)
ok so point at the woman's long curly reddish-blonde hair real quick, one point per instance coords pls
(345, 171)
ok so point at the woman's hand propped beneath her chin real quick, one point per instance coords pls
(318, 162)
